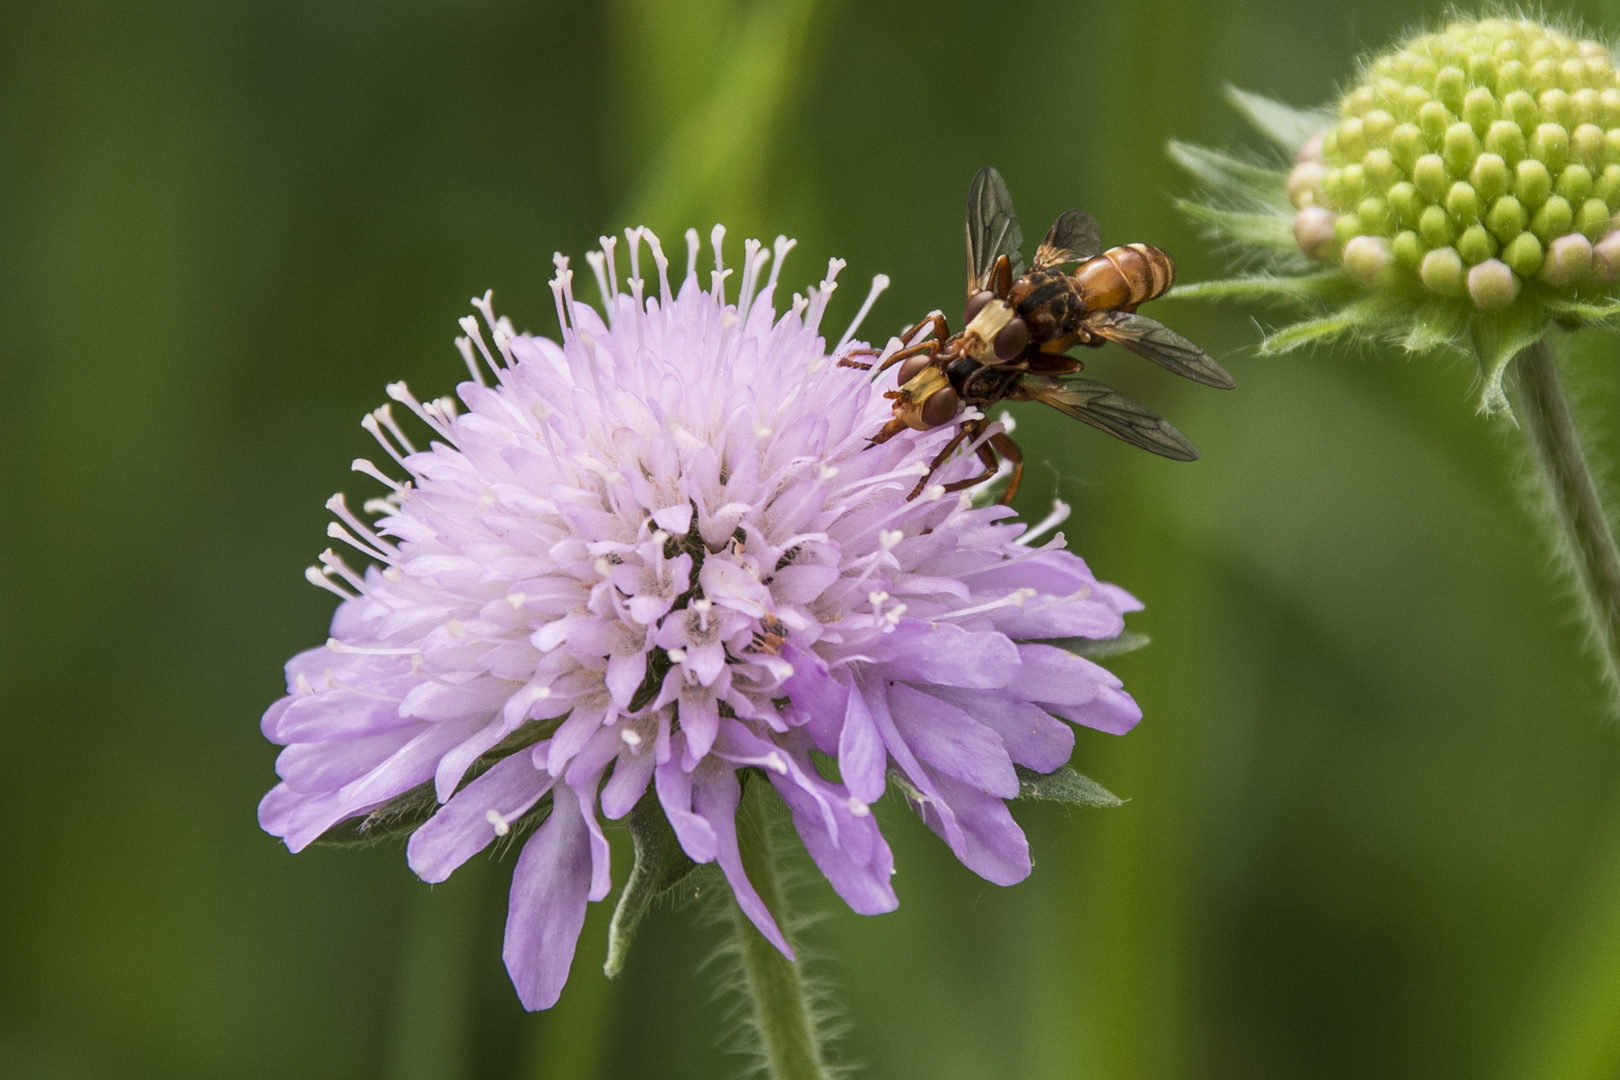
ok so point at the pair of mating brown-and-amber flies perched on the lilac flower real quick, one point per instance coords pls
(1018, 326)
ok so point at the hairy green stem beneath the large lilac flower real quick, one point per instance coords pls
(777, 992)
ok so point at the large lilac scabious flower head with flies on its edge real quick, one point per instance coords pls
(655, 556)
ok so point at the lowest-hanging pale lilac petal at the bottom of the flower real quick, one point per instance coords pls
(547, 908)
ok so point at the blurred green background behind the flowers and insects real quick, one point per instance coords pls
(1375, 822)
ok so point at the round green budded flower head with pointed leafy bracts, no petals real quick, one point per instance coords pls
(1462, 193)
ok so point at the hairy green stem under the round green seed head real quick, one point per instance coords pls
(1584, 527)
